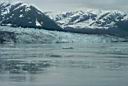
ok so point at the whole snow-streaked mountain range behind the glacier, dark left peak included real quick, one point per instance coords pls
(86, 22)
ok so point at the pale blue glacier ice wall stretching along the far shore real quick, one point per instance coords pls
(37, 36)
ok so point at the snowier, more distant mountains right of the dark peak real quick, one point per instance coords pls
(93, 21)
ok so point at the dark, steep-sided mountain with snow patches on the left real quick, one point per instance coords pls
(23, 15)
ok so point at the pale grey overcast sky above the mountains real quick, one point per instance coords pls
(61, 5)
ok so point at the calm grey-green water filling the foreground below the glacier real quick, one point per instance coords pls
(64, 64)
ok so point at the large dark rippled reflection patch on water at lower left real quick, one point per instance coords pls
(17, 66)
